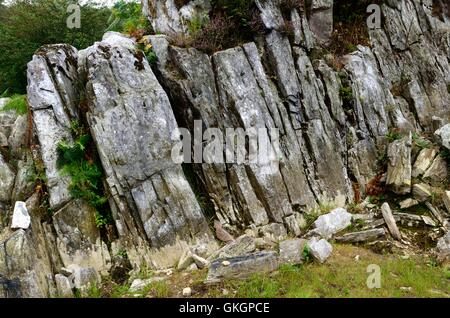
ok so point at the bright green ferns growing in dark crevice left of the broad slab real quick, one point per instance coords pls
(78, 160)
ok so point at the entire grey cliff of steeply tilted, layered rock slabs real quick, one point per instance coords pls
(333, 115)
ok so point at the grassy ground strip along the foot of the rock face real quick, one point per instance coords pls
(341, 276)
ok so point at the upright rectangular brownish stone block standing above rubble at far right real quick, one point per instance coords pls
(399, 170)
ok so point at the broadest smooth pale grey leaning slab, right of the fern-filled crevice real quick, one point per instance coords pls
(132, 123)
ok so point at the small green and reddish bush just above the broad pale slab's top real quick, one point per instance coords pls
(127, 17)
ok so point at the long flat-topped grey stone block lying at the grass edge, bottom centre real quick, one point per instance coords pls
(242, 267)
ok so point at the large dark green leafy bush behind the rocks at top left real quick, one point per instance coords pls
(26, 25)
